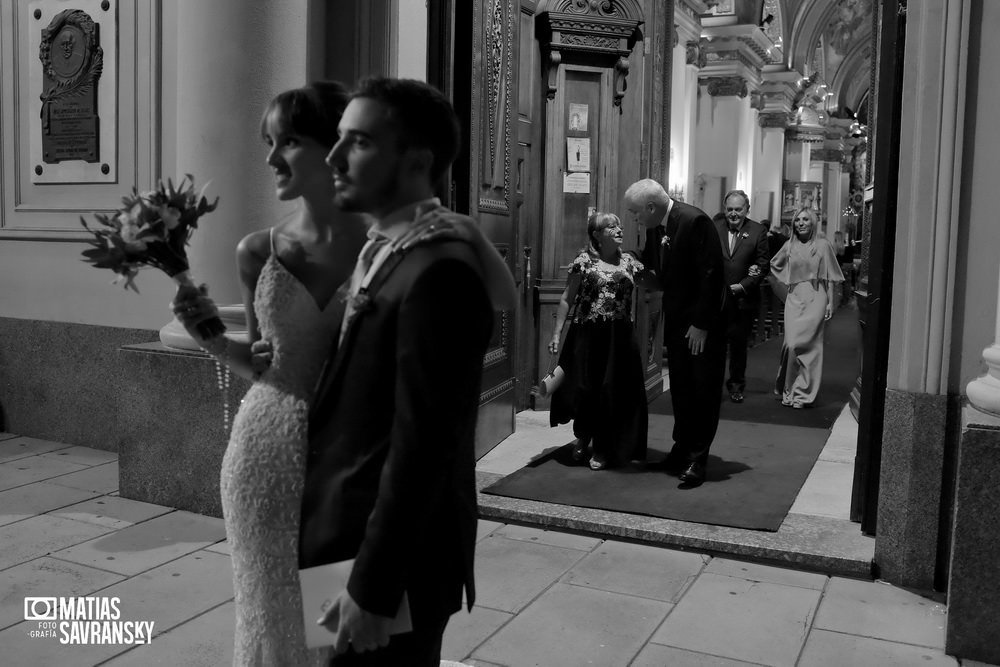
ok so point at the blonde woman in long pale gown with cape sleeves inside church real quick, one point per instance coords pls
(804, 270)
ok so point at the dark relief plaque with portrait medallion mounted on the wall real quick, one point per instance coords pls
(72, 62)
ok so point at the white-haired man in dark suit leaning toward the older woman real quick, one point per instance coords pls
(684, 254)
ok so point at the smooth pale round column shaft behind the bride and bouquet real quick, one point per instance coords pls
(232, 57)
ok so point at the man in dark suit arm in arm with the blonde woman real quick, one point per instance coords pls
(745, 262)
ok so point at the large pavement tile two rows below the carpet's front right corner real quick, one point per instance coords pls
(744, 620)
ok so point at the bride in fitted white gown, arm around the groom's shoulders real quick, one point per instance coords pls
(290, 278)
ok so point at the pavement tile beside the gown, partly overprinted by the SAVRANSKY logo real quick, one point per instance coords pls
(175, 592)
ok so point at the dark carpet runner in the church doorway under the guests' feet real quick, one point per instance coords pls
(761, 456)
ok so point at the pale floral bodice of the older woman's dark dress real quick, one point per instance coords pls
(605, 289)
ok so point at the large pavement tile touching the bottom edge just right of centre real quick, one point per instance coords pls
(572, 626)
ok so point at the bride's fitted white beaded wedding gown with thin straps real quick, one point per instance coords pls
(263, 473)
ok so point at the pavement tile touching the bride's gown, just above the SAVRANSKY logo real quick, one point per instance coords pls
(148, 544)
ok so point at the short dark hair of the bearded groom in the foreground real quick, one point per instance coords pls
(422, 114)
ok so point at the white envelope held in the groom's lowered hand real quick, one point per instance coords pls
(320, 586)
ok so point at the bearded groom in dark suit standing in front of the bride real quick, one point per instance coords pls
(390, 471)
